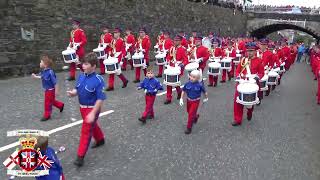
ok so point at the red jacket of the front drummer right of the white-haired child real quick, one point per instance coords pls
(255, 68)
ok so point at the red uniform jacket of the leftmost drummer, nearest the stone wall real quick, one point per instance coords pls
(78, 36)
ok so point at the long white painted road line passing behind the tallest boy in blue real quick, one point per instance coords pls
(12, 145)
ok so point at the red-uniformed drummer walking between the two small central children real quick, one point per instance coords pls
(177, 54)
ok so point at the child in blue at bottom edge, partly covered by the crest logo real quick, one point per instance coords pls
(55, 171)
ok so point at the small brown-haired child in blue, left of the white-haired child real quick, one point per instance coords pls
(151, 86)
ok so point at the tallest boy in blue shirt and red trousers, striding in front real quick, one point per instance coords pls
(89, 89)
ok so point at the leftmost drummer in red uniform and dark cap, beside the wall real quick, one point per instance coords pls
(78, 40)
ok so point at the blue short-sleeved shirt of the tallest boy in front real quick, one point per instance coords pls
(90, 88)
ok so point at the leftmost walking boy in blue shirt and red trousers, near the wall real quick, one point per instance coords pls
(49, 84)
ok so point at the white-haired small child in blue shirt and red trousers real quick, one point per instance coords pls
(193, 88)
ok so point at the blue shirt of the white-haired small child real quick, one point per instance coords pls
(194, 89)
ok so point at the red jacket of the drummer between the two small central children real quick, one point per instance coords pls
(180, 54)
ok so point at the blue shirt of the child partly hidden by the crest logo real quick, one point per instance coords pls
(56, 170)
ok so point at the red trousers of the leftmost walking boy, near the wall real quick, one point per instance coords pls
(49, 101)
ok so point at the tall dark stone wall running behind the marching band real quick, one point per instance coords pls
(49, 20)
